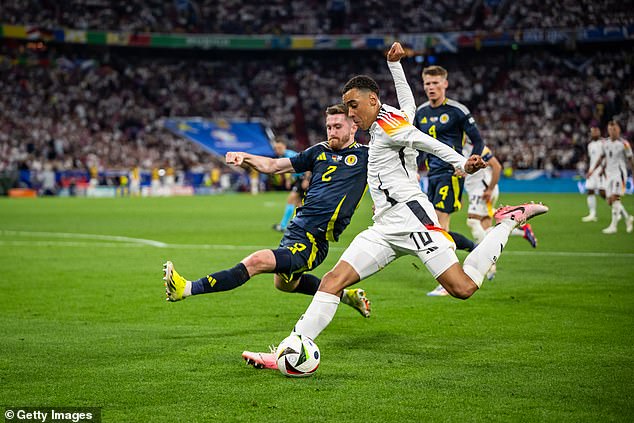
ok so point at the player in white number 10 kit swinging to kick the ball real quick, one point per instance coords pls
(405, 222)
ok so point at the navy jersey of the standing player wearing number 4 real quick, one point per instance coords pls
(448, 123)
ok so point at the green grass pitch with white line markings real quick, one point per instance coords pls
(84, 322)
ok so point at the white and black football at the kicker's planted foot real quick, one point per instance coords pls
(297, 356)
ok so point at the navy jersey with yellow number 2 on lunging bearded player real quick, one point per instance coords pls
(336, 187)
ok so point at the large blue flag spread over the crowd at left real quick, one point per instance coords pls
(221, 136)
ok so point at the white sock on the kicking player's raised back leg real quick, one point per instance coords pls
(480, 260)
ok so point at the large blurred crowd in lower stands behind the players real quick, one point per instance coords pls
(104, 109)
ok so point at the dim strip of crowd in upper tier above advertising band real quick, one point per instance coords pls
(313, 16)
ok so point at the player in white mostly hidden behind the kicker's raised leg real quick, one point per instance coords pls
(483, 190)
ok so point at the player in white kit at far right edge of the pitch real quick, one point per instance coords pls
(616, 153)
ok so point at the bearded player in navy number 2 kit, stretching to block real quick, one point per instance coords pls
(339, 171)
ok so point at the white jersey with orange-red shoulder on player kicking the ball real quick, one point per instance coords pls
(392, 168)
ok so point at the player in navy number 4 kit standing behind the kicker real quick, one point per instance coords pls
(449, 122)
